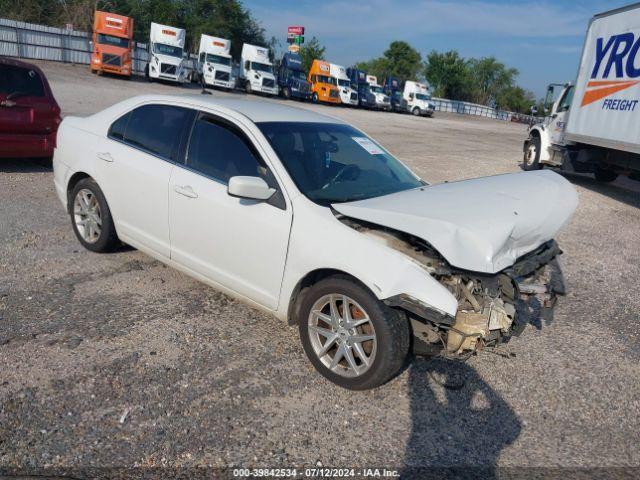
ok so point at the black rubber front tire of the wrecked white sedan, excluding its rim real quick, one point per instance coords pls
(391, 330)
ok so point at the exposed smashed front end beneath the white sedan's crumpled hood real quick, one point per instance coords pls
(491, 307)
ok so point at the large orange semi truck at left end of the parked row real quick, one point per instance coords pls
(112, 44)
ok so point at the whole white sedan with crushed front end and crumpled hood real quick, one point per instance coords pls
(374, 261)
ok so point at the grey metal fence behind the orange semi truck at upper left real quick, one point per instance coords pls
(39, 42)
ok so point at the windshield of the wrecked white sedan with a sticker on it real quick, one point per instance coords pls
(332, 163)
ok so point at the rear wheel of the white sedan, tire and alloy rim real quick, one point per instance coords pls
(107, 239)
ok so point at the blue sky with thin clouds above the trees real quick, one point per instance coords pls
(542, 39)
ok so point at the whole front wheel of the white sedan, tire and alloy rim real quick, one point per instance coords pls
(384, 335)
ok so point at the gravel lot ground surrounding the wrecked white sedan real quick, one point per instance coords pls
(86, 338)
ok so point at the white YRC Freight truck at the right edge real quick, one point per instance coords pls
(593, 124)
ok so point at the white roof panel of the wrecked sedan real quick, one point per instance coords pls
(256, 110)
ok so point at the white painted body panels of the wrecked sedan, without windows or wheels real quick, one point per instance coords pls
(264, 252)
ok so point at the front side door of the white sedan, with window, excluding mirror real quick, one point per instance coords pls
(238, 243)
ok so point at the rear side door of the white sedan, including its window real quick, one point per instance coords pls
(135, 164)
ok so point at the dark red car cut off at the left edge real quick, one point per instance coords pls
(29, 115)
